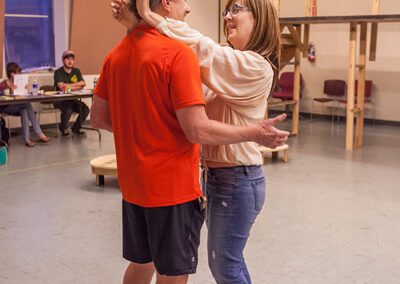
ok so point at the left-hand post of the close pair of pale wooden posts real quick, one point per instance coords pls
(350, 87)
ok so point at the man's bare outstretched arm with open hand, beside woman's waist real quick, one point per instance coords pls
(198, 128)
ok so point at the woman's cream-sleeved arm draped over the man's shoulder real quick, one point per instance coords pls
(241, 77)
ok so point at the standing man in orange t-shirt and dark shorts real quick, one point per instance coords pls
(149, 95)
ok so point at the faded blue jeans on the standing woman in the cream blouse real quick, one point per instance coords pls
(235, 198)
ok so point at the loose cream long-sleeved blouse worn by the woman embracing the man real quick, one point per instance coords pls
(237, 85)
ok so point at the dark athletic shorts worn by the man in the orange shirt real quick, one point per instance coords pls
(168, 236)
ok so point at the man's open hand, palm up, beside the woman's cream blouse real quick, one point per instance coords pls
(269, 135)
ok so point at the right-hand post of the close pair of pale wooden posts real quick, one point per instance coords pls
(361, 86)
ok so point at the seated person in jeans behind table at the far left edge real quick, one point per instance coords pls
(25, 111)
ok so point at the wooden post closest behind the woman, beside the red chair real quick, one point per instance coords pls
(296, 88)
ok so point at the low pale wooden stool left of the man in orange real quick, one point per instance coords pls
(104, 166)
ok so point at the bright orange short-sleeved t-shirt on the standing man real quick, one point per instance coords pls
(146, 78)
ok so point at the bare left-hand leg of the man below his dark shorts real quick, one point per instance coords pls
(139, 273)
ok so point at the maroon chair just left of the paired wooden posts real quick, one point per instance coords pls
(334, 89)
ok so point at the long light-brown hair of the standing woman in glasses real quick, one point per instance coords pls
(265, 38)
